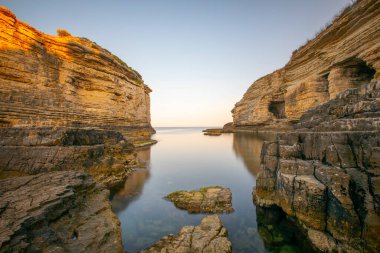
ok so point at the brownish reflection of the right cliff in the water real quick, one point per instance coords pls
(248, 147)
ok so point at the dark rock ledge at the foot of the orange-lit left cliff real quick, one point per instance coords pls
(104, 154)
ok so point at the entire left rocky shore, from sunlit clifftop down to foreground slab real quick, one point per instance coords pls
(72, 116)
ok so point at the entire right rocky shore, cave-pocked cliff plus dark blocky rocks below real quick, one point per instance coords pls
(323, 107)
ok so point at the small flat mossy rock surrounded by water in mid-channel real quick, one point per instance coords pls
(214, 199)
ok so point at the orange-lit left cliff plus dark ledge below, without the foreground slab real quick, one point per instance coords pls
(67, 103)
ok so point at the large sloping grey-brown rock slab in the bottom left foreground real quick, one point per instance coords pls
(57, 212)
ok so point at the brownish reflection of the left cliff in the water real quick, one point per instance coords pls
(133, 186)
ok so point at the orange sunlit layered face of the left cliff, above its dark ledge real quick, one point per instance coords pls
(65, 80)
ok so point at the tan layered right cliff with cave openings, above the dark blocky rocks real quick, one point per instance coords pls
(344, 55)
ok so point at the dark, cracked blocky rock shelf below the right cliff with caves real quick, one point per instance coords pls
(327, 172)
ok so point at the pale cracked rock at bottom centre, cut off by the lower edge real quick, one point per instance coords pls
(210, 236)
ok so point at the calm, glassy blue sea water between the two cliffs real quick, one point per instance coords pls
(185, 159)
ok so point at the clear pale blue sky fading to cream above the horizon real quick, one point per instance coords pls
(198, 56)
